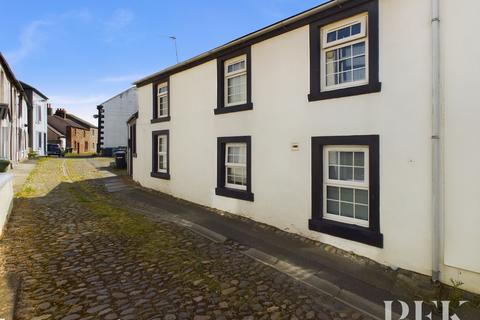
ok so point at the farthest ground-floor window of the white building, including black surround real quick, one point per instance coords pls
(160, 154)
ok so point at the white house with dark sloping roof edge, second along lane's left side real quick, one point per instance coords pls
(37, 119)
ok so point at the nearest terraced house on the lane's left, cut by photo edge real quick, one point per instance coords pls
(14, 104)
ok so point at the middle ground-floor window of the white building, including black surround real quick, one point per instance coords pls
(234, 167)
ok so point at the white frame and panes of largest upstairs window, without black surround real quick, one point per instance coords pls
(344, 55)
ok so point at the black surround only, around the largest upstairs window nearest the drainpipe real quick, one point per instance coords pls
(337, 14)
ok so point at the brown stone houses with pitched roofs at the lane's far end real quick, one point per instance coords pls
(79, 135)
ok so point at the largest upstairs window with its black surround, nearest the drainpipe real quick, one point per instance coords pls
(344, 52)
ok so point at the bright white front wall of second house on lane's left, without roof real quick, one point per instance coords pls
(39, 124)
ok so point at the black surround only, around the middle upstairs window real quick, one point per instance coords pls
(221, 108)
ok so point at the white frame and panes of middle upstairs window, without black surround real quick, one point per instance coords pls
(236, 81)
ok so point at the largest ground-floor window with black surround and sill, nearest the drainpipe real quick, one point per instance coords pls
(345, 188)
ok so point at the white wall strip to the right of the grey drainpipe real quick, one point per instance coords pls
(462, 132)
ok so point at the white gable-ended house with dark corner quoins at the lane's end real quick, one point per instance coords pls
(112, 117)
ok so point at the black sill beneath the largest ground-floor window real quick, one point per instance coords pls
(347, 231)
